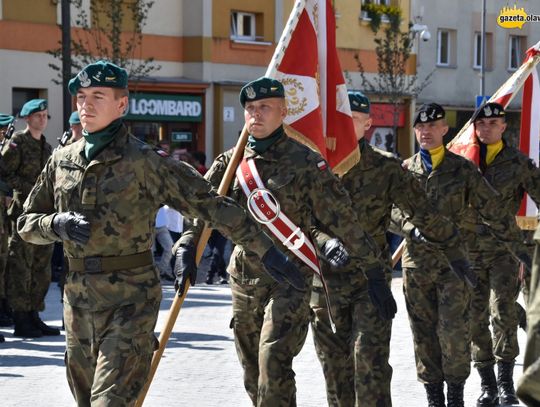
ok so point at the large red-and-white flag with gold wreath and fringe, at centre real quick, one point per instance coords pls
(306, 62)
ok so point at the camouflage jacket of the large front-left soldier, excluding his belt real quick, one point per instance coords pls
(119, 192)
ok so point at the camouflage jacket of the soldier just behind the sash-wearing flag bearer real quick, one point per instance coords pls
(377, 183)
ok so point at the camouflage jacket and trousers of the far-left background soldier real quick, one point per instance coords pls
(27, 266)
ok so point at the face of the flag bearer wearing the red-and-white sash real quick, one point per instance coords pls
(264, 116)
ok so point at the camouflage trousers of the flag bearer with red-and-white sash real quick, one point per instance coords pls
(270, 323)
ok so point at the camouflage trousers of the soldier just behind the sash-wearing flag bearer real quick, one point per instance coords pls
(355, 358)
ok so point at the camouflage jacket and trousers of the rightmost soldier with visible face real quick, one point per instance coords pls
(511, 174)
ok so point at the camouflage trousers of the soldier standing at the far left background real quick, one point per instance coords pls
(29, 274)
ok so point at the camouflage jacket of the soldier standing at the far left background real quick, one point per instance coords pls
(23, 158)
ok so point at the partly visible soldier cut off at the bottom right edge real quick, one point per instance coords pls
(528, 388)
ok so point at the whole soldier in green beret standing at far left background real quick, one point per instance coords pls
(28, 265)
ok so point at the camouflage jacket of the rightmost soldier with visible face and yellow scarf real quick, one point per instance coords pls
(511, 174)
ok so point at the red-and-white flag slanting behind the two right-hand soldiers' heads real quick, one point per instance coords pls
(465, 142)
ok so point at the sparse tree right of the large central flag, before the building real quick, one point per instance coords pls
(393, 49)
